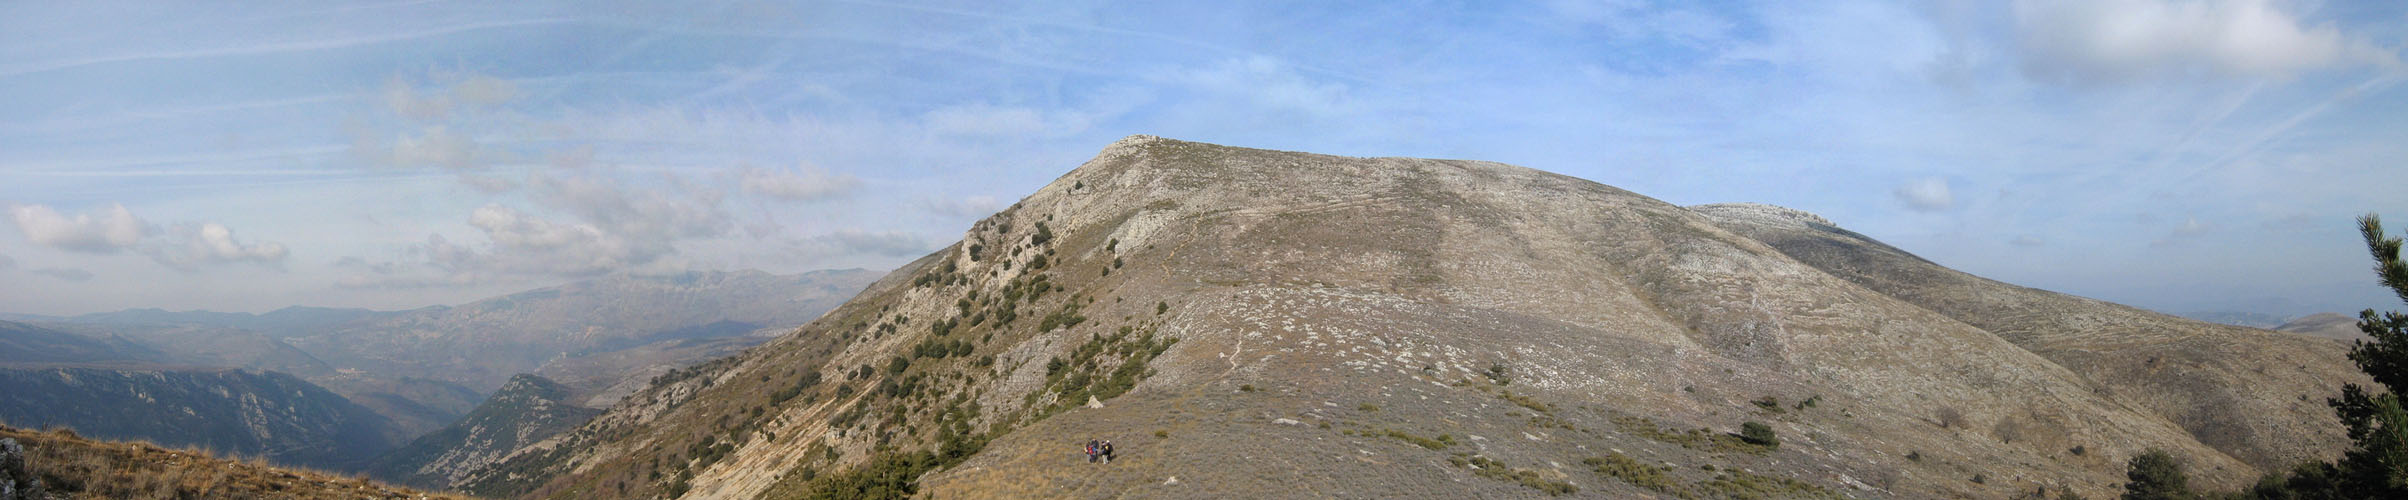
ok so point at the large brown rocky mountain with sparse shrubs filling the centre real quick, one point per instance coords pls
(1273, 323)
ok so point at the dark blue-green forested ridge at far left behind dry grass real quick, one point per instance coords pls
(223, 410)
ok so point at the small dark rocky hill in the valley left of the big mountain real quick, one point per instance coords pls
(521, 412)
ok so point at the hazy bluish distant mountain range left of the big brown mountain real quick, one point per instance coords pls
(338, 388)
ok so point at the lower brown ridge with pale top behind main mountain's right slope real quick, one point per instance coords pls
(2233, 388)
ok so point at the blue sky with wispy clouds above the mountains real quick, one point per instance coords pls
(2176, 155)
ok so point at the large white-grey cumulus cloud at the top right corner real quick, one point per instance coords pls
(2130, 40)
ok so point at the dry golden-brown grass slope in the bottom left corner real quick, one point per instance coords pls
(76, 468)
